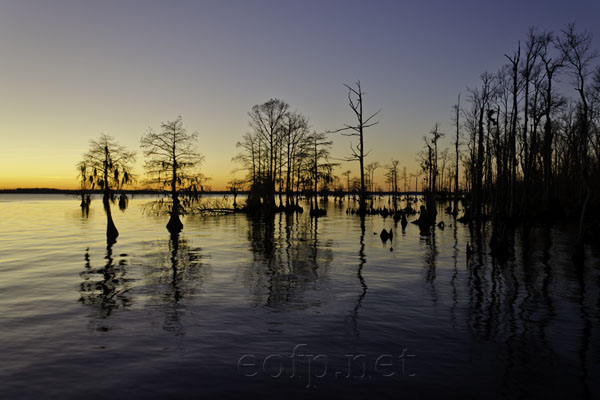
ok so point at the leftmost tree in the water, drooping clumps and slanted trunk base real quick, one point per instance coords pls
(108, 165)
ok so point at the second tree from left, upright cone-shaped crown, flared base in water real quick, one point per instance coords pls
(173, 162)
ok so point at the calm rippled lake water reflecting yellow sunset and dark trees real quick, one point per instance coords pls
(295, 307)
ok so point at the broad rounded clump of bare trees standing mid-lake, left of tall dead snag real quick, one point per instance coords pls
(281, 156)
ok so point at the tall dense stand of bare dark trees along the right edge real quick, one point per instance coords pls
(534, 141)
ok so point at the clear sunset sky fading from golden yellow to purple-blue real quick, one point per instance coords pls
(71, 70)
